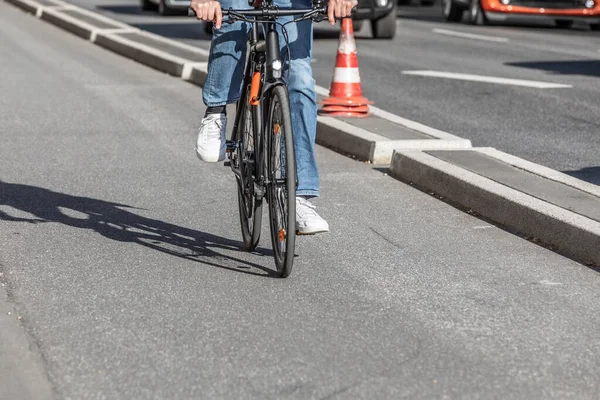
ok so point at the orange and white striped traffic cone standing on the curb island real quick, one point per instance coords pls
(345, 95)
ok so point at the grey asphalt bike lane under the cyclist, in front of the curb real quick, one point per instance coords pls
(119, 251)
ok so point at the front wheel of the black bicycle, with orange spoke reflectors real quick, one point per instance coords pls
(281, 190)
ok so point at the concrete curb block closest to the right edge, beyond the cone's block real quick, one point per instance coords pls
(566, 232)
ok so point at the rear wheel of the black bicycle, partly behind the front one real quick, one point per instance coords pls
(250, 208)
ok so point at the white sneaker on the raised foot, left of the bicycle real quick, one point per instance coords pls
(210, 145)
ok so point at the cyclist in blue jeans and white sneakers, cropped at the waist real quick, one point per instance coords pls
(223, 86)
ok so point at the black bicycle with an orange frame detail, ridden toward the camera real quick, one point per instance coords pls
(261, 149)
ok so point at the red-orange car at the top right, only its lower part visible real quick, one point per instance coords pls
(563, 12)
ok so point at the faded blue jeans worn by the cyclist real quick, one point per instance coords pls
(225, 76)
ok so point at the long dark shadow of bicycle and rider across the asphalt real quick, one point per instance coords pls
(114, 221)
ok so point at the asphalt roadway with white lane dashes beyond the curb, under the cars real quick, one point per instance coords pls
(557, 128)
